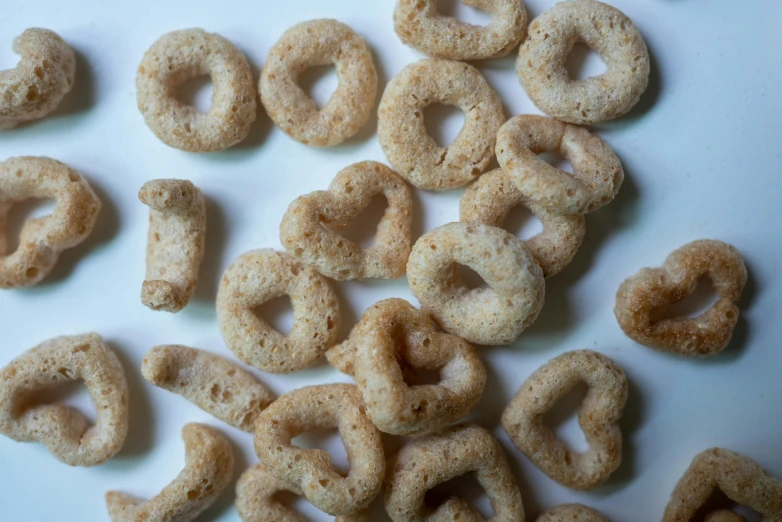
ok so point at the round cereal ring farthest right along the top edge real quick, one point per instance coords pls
(550, 38)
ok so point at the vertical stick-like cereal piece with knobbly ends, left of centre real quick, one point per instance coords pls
(175, 248)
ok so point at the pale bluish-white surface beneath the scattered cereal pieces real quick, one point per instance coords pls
(701, 153)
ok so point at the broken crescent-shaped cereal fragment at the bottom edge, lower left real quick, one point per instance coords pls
(209, 464)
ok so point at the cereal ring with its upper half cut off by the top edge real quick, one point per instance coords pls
(418, 24)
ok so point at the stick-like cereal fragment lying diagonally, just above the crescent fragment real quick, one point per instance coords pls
(212, 383)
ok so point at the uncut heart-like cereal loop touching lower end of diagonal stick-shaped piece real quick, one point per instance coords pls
(325, 406)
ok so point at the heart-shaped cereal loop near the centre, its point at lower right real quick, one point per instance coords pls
(304, 232)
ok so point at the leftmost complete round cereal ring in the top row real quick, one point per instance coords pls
(174, 59)
